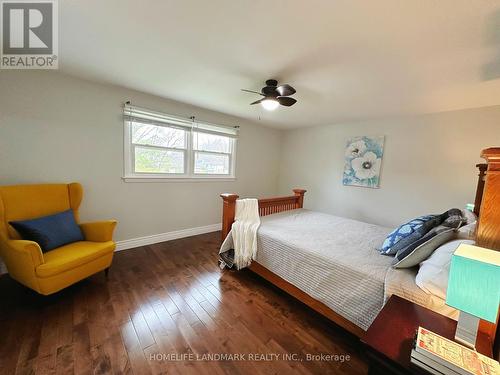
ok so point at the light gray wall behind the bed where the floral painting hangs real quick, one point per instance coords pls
(428, 165)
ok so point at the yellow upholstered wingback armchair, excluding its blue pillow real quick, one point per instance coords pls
(56, 269)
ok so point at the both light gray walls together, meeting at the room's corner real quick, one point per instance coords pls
(56, 128)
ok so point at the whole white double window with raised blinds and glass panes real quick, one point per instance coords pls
(163, 146)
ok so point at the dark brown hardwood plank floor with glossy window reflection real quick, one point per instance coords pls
(166, 308)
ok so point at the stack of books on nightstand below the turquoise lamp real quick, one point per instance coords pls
(439, 356)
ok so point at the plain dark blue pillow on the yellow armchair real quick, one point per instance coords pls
(51, 231)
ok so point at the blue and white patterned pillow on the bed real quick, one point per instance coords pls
(412, 230)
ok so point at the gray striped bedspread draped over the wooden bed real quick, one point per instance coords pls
(332, 259)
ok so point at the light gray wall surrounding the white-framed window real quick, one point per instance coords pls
(56, 128)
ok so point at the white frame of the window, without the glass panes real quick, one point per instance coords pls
(130, 175)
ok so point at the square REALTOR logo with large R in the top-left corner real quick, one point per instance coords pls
(29, 34)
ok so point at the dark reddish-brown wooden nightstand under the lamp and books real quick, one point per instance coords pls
(389, 339)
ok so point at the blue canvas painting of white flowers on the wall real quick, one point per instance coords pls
(363, 159)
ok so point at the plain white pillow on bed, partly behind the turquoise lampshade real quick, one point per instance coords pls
(432, 276)
